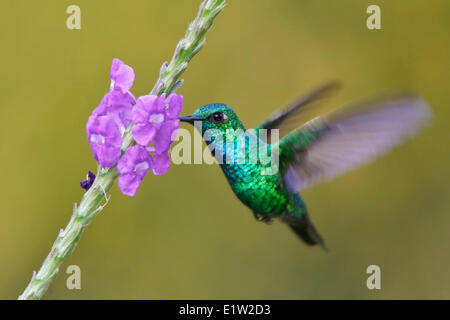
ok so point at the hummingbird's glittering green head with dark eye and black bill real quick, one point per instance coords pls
(216, 116)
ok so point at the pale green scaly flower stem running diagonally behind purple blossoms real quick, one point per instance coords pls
(96, 198)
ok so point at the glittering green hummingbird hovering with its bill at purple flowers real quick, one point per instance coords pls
(308, 151)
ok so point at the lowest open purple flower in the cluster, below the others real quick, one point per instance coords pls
(133, 167)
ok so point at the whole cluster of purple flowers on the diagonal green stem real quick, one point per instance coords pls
(155, 122)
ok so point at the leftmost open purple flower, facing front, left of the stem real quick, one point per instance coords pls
(105, 139)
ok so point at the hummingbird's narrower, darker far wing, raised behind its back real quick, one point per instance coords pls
(289, 118)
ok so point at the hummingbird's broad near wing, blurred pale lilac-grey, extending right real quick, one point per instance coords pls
(332, 144)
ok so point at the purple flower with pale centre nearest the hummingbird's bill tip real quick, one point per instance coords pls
(148, 116)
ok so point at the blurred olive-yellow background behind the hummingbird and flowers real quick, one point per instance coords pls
(185, 235)
